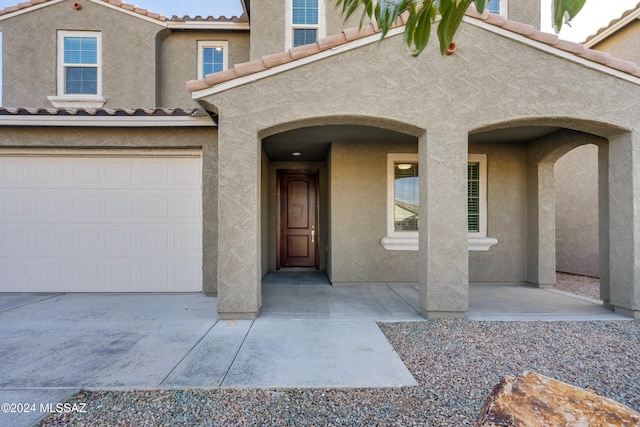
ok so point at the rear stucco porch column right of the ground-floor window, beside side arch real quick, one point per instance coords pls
(541, 223)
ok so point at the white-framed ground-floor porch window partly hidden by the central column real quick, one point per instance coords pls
(403, 203)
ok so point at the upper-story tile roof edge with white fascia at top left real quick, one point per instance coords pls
(197, 22)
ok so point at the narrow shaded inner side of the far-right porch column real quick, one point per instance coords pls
(603, 220)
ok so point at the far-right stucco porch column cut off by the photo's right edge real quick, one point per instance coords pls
(624, 223)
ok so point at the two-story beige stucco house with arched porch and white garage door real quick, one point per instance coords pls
(314, 147)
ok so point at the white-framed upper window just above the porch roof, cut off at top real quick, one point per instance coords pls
(306, 22)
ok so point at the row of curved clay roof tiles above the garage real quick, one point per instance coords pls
(100, 112)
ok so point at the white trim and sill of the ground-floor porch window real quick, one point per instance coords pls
(409, 240)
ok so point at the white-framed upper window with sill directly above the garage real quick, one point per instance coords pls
(79, 70)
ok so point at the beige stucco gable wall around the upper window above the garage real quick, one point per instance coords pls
(30, 46)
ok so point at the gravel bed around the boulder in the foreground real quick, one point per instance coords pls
(456, 363)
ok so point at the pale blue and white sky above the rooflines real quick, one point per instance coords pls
(595, 14)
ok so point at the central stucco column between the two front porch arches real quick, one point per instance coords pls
(444, 256)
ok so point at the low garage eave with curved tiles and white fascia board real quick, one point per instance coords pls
(154, 117)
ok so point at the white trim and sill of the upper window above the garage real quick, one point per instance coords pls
(64, 100)
